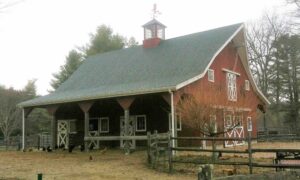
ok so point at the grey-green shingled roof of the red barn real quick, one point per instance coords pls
(173, 64)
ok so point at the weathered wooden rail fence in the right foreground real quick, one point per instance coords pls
(161, 145)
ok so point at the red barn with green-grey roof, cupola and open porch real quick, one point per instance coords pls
(114, 98)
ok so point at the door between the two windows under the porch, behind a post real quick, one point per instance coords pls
(130, 133)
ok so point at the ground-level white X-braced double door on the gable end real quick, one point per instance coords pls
(235, 121)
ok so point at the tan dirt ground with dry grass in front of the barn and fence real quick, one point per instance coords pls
(110, 164)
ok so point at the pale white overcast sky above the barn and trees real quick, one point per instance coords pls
(36, 35)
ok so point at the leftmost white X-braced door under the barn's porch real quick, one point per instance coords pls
(63, 133)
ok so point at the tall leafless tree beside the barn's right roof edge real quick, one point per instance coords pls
(260, 38)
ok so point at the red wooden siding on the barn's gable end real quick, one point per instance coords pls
(217, 91)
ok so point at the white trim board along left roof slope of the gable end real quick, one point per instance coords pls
(189, 81)
